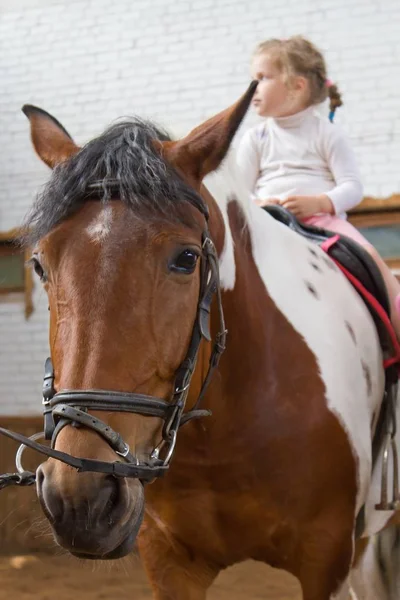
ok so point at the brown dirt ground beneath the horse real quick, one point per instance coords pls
(44, 577)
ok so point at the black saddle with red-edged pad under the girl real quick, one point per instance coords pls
(360, 268)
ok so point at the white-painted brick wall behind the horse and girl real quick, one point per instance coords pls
(91, 61)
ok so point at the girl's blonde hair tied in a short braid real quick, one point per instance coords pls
(297, 56)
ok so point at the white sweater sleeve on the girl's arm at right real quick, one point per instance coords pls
(342, 163)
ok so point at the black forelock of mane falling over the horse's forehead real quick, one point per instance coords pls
(124, 159)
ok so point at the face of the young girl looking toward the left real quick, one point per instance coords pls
(273, 98)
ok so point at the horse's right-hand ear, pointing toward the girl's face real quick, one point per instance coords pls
(204, 148)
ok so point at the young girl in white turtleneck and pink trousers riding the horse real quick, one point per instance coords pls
(298, 159)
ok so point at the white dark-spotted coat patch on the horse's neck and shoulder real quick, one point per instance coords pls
(320, 304)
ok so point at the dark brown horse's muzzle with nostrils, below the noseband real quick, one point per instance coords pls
(92, 515)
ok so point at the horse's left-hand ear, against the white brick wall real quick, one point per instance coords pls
(51, 141)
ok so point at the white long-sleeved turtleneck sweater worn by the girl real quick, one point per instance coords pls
(303, 154)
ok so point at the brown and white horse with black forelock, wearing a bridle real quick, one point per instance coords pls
(151, 255)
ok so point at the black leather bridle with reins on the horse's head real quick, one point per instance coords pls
(70, 407)
